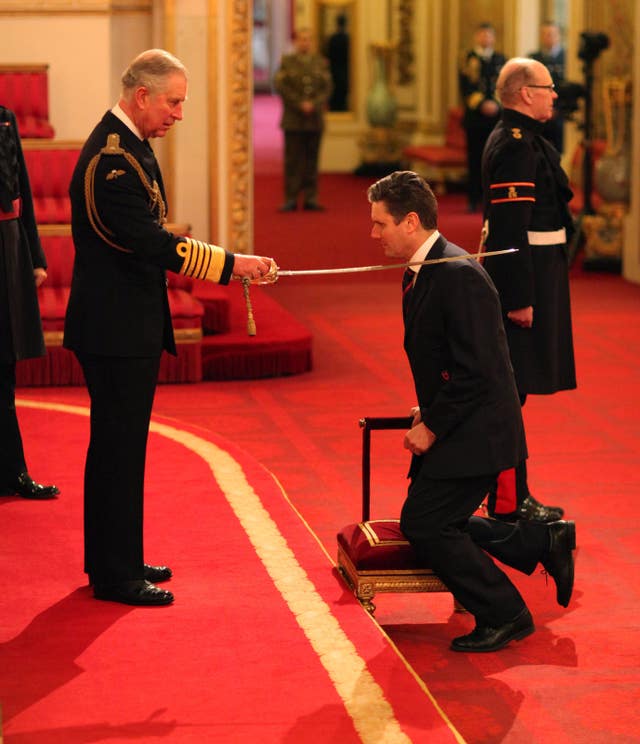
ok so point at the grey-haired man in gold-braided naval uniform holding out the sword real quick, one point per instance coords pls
(118, 321)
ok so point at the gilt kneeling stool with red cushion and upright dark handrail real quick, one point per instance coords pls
(373, 555)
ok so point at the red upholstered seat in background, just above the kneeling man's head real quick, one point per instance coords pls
(443, 162)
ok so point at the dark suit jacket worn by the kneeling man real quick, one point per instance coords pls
(457, 349)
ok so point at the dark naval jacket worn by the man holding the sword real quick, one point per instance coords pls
(118, 304)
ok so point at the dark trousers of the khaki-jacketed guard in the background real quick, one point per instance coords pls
(301, 151)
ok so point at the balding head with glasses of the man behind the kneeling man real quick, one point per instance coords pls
(525, 85)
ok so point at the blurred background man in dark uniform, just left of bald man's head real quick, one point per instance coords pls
(478, 74)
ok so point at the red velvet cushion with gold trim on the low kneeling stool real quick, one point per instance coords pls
(377, 545)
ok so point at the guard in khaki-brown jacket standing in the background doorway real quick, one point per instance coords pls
(303, 81)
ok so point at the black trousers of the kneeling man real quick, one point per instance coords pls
(437, 520)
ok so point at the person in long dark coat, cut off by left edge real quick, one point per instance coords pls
(23, 268)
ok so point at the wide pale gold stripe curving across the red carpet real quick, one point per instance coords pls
(363, 698)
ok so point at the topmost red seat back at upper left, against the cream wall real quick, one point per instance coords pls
(25, 90)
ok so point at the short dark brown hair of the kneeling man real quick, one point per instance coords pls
(404, 192)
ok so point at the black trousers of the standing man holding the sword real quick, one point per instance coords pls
(121, 391)
